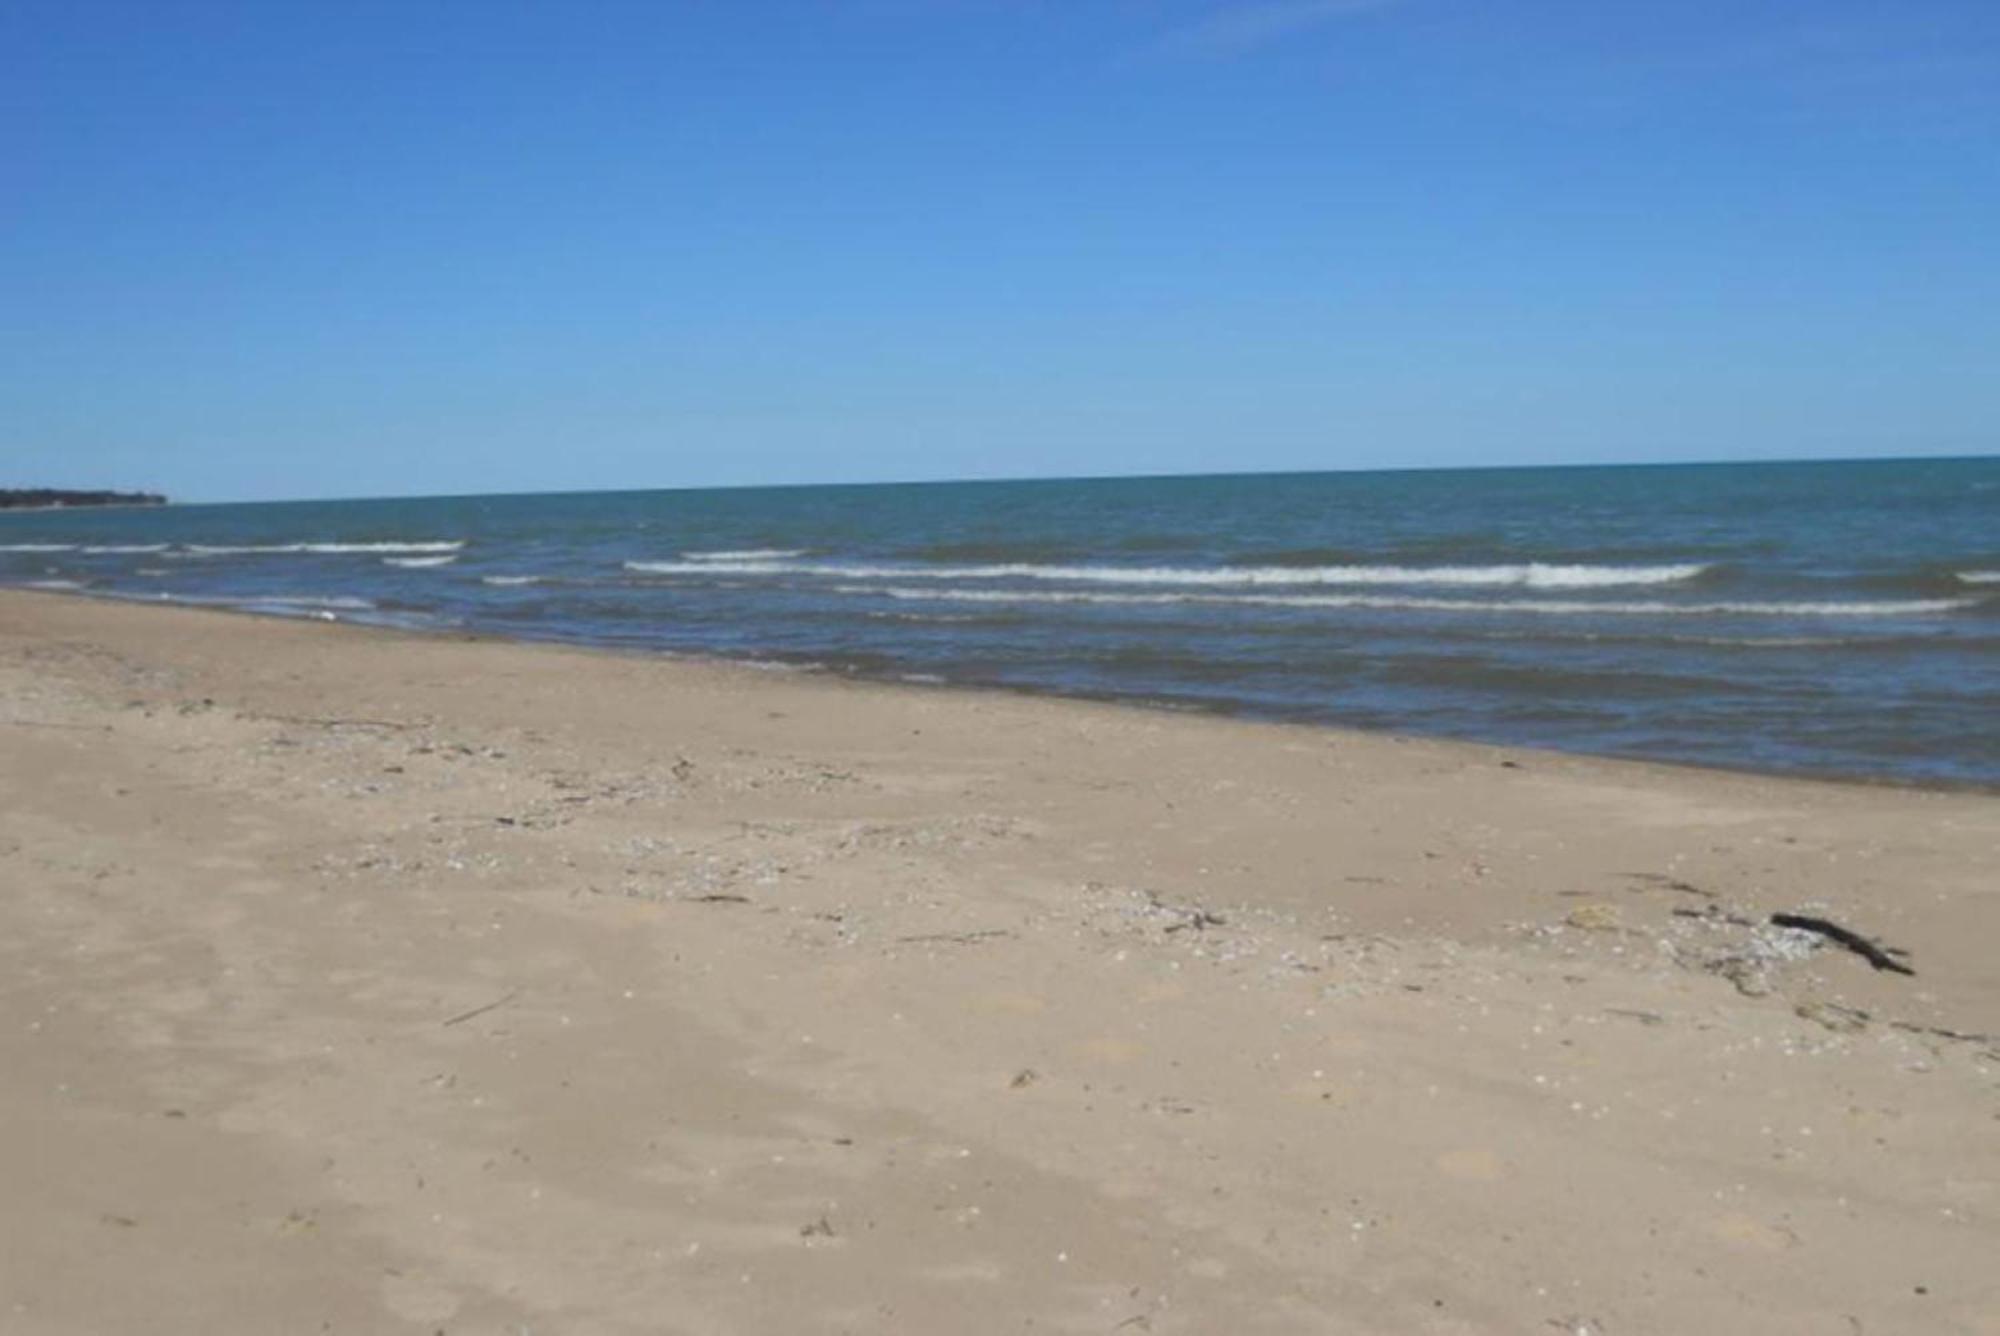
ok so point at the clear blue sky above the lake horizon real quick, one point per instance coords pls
(431, 247)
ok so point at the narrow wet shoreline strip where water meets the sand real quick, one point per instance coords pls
(1163, 705)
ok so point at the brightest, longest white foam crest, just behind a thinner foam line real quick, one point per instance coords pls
(1531, 575)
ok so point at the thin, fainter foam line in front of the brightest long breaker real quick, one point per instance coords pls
(1387, 603)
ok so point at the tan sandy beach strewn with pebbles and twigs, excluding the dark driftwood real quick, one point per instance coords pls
(373, 983)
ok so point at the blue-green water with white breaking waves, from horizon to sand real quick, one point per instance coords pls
(1831, 619)
